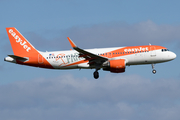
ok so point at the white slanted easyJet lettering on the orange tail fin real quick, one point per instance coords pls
(20, 41)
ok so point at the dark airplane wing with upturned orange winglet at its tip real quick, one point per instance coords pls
(88, 55)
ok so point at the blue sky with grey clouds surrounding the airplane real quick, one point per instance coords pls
(28, 93)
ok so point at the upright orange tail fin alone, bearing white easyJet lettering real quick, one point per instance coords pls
(20, 46)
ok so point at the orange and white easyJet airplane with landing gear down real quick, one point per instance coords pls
(113, 59)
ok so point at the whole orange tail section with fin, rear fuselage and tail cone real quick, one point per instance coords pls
(24, 52)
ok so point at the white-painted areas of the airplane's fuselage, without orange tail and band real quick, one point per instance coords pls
(68, 59)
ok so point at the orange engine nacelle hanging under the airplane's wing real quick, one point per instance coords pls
(115, 66)
